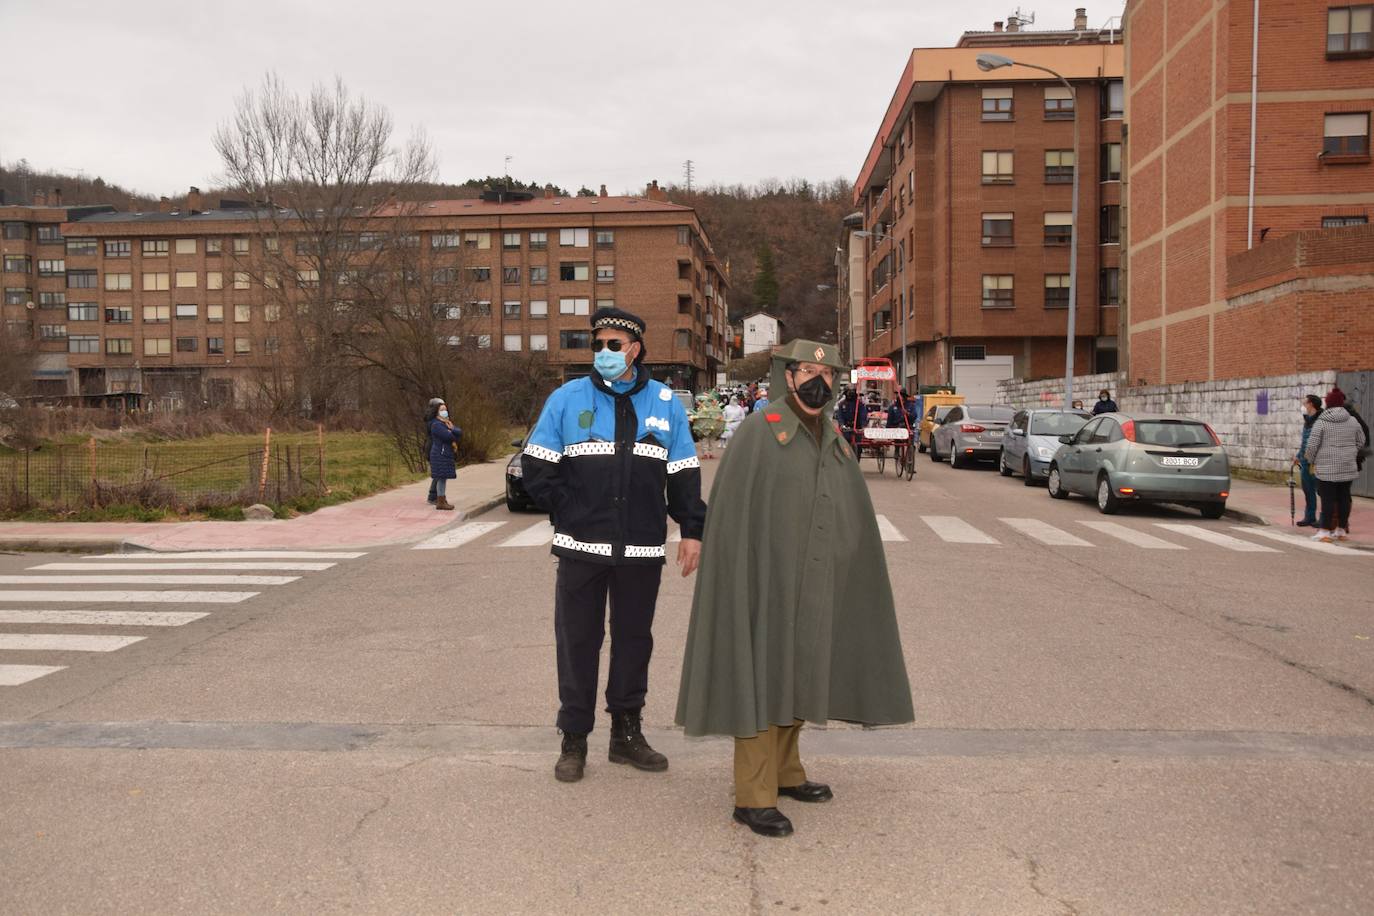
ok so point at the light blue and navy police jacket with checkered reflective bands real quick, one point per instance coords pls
(611, 468)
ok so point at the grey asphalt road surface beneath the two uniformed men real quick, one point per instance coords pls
(1122, 720)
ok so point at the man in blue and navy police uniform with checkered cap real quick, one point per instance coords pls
(611, 458)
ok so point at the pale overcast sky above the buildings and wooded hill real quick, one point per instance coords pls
(582, 91)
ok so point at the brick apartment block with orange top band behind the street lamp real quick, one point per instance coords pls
(968, 192)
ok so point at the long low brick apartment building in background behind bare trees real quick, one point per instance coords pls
(164, 304)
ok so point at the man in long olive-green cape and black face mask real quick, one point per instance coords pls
(793, 619)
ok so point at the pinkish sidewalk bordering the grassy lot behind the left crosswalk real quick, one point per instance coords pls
(395, 517)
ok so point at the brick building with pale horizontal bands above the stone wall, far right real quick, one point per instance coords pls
(1226, 282)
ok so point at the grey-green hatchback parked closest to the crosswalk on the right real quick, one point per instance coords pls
(1116, 458)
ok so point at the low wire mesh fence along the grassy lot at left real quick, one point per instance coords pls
(160, 476)
